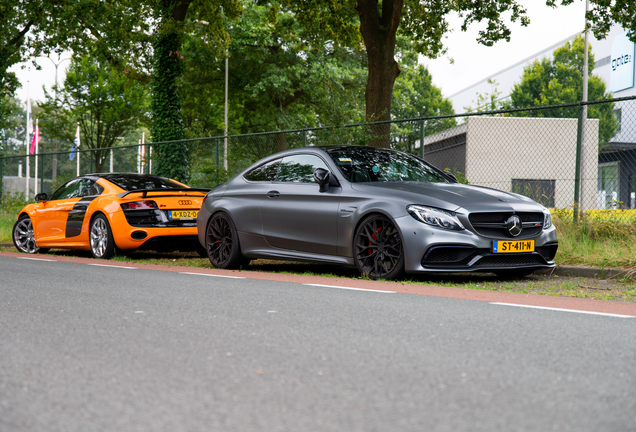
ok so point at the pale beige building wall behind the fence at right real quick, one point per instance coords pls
(500, 149)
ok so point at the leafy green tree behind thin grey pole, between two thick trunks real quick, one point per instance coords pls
(277, 80)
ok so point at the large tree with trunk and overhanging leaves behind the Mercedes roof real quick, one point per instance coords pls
(422, 22)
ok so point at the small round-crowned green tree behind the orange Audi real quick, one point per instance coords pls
(106, 104)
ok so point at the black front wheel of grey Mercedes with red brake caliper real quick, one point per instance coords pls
(378, 250)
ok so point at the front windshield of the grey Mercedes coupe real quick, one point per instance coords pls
(364, 164)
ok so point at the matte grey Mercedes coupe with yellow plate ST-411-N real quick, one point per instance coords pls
(384, 211)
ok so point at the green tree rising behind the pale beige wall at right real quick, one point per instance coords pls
(560, 81)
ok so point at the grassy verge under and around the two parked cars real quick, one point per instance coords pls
(605, 243)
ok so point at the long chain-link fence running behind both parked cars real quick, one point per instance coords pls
(579, 158)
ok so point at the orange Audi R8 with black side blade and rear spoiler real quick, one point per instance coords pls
(106, 212)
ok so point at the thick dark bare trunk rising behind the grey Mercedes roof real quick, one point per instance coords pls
(378, 29)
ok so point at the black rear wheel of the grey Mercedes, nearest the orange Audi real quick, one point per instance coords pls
(222, 243)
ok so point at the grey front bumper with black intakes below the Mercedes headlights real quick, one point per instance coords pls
(430, 249)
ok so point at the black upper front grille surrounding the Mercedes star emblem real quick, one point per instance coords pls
(493, 225)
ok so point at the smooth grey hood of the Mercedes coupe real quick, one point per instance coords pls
(450, 196)
